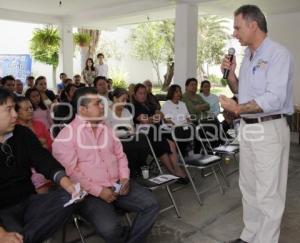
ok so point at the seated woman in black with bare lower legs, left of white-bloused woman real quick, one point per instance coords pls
(165, 149)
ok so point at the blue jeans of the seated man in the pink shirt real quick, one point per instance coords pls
(104, 217)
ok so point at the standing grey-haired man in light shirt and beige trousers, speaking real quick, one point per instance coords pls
(264, 86)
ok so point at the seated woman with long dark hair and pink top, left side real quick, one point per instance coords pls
(40, 111)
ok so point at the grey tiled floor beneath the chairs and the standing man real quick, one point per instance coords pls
(220, 218)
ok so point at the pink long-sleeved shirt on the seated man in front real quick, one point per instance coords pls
(93, 160)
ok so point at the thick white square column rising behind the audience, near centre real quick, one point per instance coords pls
(186, 27)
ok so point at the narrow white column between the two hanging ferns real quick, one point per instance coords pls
(67, 49)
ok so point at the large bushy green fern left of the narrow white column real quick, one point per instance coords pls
(44, 47)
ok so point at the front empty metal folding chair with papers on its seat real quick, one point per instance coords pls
(166, 185)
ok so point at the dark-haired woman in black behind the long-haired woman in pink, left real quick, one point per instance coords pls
(47, 96)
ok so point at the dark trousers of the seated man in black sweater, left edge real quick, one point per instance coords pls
(38, 217)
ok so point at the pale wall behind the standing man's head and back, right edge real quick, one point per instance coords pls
(284, 29)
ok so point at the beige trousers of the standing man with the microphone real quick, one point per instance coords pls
(264, 156)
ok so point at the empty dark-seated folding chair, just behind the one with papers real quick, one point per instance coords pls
(196, 161)
